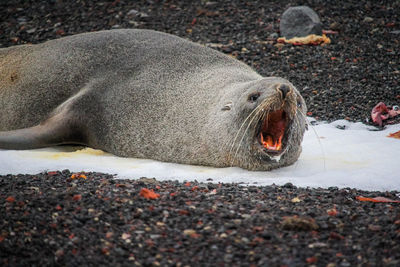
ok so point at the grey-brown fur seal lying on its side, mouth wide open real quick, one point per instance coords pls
(146, 94)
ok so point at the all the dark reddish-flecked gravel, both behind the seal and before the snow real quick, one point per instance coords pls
(51, 219)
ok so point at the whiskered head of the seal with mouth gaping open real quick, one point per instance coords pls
(271, 116)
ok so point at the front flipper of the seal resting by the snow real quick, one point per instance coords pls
(56, 130)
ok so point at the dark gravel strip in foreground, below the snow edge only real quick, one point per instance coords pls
(51, 219)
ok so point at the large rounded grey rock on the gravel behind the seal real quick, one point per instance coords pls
(300, 21)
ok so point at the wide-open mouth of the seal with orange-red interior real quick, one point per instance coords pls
(272, 132)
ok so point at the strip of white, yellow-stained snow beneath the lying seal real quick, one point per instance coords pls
(355, 157)
